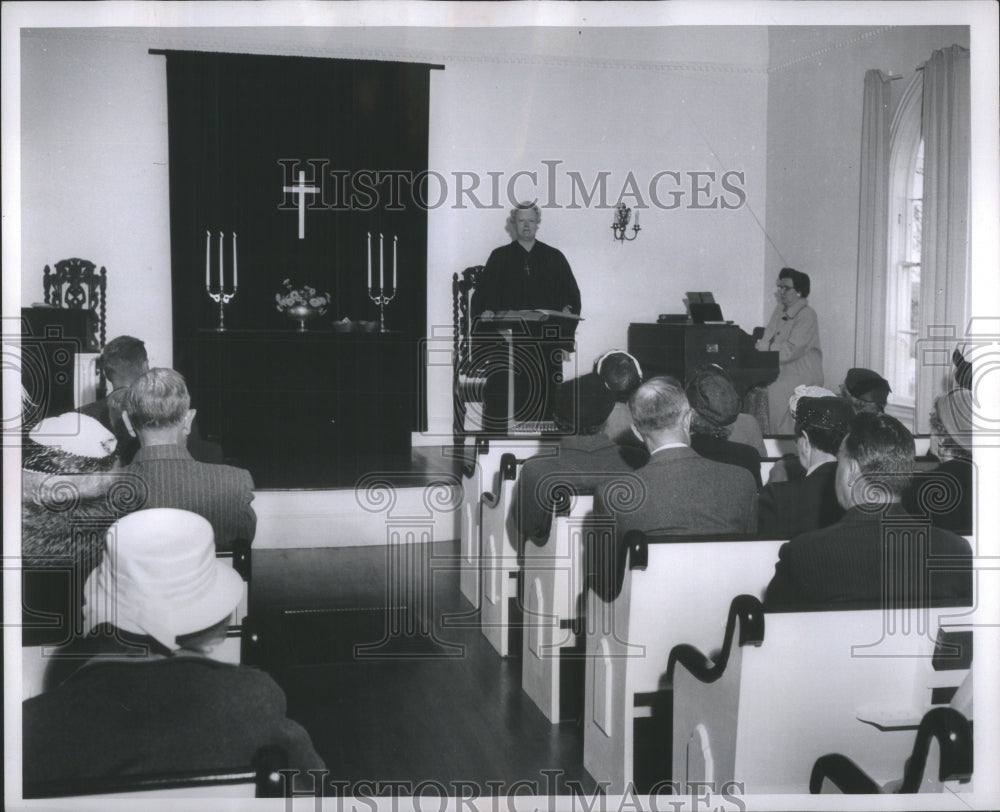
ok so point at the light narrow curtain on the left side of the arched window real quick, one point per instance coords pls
(873, 230)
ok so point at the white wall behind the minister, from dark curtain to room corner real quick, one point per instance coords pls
(593, 120)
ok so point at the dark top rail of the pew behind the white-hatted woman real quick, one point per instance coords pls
(263, 770)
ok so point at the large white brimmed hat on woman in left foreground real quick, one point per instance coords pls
(160, 577)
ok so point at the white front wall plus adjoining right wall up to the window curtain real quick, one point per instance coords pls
(94, 161)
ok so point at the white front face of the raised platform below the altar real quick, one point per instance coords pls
(338, 518)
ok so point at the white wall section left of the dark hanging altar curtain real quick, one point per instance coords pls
(94, 176)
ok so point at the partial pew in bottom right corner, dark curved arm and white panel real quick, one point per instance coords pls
(941, 759)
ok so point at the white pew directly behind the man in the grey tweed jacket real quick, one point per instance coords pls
(646, 594)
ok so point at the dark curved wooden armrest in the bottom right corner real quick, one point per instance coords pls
(954, 735)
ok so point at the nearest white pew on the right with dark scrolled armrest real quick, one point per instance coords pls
(798, 685)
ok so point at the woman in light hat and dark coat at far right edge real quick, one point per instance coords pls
(945, 492)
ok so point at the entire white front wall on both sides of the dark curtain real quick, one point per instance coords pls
(95, 174)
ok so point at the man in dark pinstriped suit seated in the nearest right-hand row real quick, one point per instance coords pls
(859, 561)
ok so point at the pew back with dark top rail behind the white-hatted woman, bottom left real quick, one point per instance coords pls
(259, 779)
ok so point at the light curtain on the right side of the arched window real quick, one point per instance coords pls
(945, 225)
